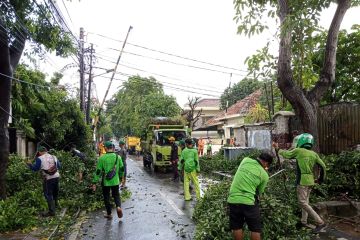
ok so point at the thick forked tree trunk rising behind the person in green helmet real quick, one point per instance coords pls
(306, 104)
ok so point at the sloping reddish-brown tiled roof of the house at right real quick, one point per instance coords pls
(240, 108)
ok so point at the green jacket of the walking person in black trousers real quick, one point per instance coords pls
(104, 165)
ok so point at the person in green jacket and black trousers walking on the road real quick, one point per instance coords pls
(110, 169)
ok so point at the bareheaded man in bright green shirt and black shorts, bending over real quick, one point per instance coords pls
(249, 181)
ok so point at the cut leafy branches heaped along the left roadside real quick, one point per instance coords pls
(20, 210)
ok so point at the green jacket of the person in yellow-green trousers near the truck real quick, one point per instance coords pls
(189, 160)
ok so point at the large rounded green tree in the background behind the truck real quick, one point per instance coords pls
(136, 103)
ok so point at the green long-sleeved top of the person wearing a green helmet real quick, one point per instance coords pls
(306, 159)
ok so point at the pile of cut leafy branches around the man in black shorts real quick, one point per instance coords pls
(279, 211)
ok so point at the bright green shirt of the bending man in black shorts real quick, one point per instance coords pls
(250, 180)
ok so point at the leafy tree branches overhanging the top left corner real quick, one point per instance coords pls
(41, 29)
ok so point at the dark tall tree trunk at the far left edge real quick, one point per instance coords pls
(8, 61)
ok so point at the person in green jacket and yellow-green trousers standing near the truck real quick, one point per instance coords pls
(189, 163)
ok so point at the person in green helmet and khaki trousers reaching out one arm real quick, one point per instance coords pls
(305, 159)
